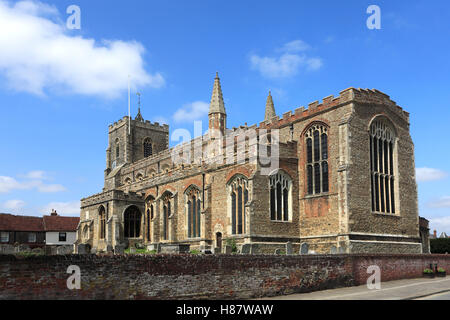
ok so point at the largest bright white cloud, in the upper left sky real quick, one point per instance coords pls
(38, 53)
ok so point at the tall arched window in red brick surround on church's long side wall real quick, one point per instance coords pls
(317, 159)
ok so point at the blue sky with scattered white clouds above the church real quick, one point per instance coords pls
(61, 88)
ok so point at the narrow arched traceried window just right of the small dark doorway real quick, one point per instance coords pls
(238, 198)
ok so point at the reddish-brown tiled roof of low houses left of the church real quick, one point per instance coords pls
(9, 222)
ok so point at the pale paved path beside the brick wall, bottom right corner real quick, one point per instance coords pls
(422, 288)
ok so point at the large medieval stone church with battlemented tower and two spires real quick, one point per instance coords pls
(344, 182)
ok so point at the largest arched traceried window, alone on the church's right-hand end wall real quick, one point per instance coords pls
(382, 146)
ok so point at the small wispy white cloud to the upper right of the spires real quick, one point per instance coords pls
(288, 64)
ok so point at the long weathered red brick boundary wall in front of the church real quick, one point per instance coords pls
(198, 276)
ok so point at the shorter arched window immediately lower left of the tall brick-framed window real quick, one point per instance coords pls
(280, 196)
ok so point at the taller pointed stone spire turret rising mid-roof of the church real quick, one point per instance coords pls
(217, 114)
